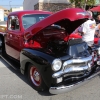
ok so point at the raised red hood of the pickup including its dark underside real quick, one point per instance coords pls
(69, 19)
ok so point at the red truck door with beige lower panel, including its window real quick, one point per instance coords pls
(14, 38)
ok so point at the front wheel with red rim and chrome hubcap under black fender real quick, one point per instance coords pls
(35, 78)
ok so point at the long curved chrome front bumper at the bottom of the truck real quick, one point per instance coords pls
(63, 89)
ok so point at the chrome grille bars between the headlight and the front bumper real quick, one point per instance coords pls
(73, 69)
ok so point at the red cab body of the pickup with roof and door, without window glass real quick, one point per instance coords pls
(15, 39)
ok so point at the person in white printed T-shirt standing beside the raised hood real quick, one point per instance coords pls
(87, 30)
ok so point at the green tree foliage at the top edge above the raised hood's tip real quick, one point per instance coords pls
(82, 3)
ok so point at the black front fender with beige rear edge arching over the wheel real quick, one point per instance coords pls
(45, 69)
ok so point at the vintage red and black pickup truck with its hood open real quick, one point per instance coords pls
(38, 43)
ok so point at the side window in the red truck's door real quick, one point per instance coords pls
(13, 23)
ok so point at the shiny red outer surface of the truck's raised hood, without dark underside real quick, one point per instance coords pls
(70, 14)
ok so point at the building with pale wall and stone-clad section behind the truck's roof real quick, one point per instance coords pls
(48, 5)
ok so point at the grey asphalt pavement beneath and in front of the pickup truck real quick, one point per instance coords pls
(14, 86)
